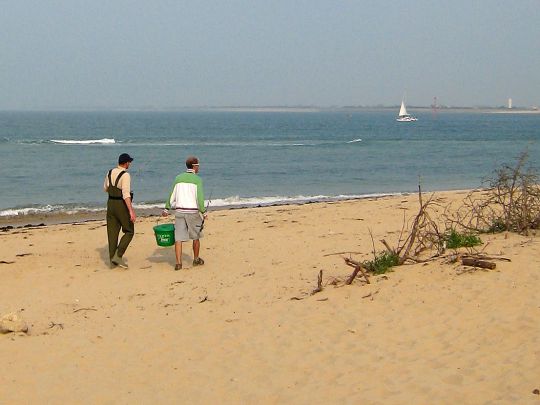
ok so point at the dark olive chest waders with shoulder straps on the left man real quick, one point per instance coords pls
(118, 218)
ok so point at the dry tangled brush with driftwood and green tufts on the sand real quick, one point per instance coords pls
(510, 203)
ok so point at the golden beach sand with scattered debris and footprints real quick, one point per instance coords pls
(244, 328)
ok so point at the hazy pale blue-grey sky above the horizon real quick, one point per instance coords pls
(119, 53)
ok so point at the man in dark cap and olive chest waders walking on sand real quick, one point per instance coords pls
(120, 213)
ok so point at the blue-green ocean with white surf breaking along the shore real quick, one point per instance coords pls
(56, 161)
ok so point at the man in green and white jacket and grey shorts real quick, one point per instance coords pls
(187, 199)
